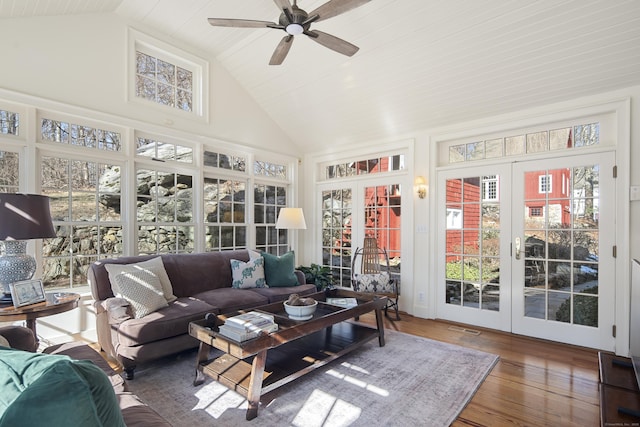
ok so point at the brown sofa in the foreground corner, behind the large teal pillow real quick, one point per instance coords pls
(134, 412)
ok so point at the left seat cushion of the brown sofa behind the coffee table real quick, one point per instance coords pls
(167, 322)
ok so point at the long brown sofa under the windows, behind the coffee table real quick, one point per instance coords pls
(202, 283)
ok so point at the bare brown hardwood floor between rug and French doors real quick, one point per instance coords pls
(535, 382)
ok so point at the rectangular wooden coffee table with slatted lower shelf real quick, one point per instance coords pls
(257, 366)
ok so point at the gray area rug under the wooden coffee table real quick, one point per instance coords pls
(410, 381)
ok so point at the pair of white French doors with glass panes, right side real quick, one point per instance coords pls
(527, 247)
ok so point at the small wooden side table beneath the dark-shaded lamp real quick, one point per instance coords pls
(57, 302)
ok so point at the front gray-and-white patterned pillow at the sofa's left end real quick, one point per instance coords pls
(142, 289)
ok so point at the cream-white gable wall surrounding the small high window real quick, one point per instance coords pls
(82, 61)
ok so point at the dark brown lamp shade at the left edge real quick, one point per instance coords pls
(24, 217)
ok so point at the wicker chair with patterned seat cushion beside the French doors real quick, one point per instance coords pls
(375, 275)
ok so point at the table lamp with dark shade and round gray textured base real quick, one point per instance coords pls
(22, 217)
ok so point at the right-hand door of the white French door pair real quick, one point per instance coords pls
(564, 213)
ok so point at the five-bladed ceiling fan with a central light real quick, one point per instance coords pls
(295, 21)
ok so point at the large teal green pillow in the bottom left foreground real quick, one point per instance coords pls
(54, 390)
